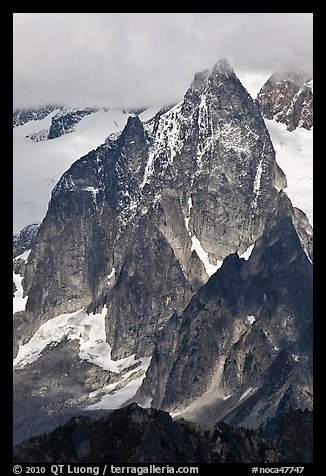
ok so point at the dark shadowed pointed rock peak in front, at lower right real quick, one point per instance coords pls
(241, 350)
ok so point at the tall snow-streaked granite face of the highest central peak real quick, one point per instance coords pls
(202, 171)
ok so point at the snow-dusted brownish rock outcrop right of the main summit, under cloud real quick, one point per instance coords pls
(287, 97)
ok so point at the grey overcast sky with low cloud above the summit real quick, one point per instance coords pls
(138, 59)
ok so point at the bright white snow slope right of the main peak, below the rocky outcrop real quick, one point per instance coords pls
(294, 154)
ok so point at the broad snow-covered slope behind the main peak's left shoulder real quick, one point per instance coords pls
(37, 166)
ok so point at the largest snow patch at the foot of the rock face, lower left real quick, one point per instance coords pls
(89, 330)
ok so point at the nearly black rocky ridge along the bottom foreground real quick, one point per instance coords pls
(137, 435)
